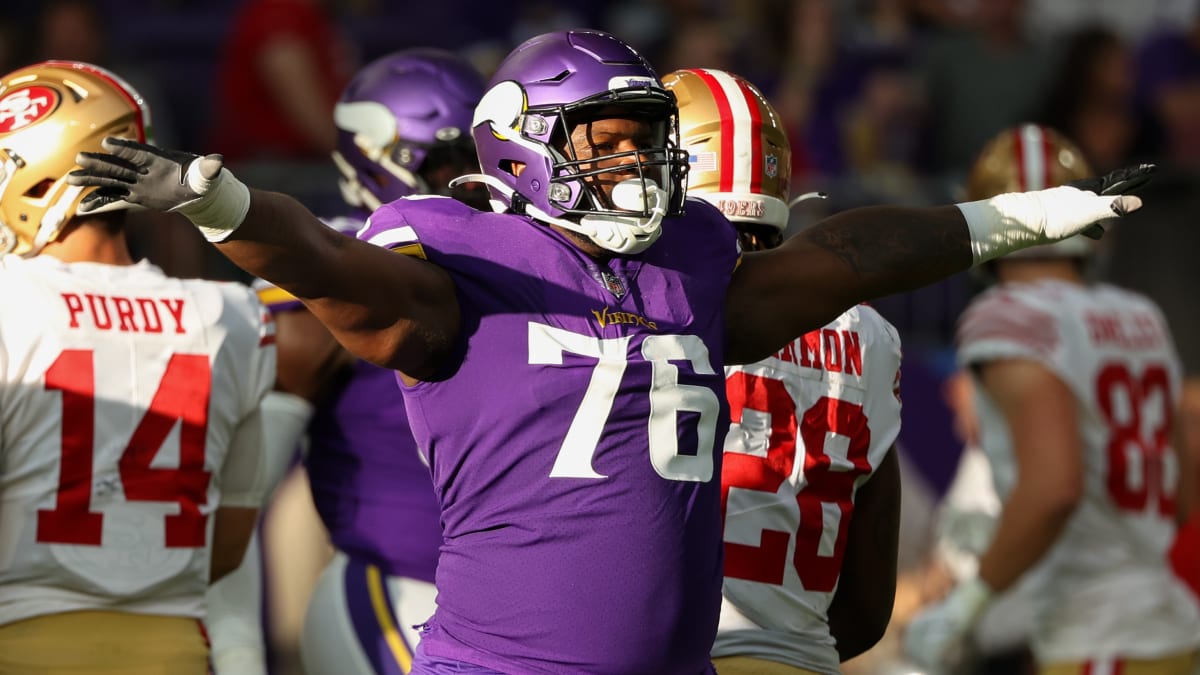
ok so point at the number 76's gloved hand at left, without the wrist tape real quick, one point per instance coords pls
(142, 175)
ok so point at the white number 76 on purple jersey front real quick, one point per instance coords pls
(668, 398)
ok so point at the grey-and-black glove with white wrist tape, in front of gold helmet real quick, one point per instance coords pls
(165, 181)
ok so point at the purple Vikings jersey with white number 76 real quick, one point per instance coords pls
(572, 443)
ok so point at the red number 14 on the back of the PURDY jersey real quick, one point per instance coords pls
(183, 396)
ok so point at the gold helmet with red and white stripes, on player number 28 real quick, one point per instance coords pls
(739, 156)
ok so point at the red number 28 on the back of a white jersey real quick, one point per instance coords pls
(766, 563)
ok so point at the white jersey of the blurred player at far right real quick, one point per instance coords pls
(1105, 589)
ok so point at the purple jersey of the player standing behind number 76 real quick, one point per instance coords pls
(369, 485)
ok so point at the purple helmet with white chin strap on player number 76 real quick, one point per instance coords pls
(538, 94)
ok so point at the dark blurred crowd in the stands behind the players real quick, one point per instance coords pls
(886, 101)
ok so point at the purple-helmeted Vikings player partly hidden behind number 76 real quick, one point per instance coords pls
(404, 129)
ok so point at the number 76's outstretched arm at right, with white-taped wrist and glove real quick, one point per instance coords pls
(868, 253)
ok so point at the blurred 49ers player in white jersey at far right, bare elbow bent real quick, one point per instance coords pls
(1077, 390)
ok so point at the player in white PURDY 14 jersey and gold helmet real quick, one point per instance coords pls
(130, 433)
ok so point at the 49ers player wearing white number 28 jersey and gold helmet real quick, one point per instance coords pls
(809, 486)
